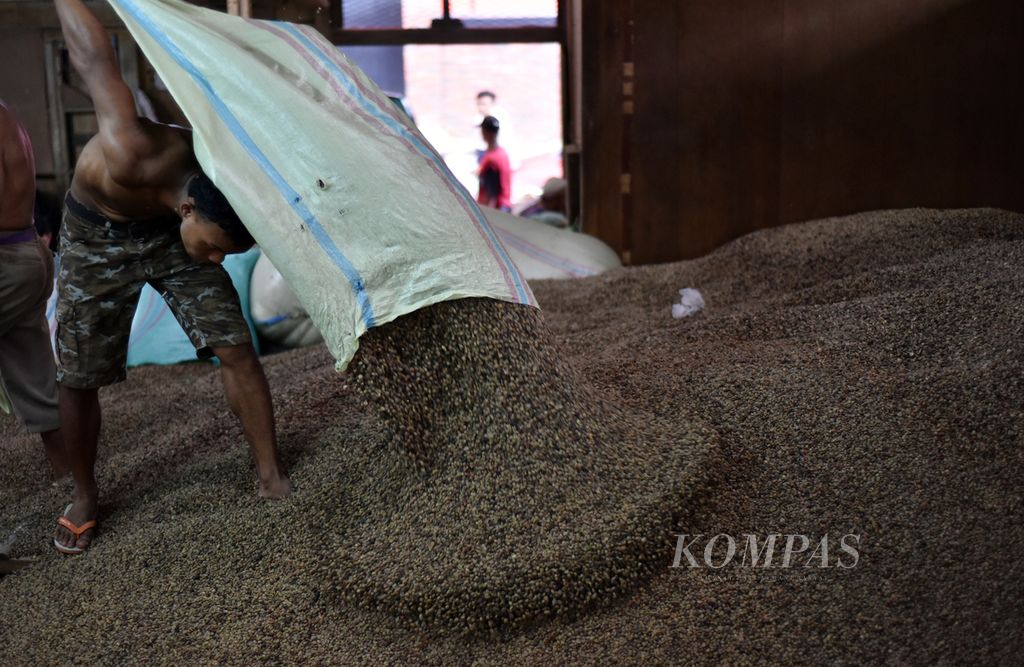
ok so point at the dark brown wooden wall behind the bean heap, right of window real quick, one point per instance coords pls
(738, 115)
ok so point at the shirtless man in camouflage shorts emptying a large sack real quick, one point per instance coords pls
(140, 211)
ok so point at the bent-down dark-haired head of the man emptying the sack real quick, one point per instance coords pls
(210, 228)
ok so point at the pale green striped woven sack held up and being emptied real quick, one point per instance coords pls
(353, 205)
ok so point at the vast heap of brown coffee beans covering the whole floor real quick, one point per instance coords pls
(861, 376)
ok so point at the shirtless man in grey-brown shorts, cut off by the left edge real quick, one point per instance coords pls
(28, 379)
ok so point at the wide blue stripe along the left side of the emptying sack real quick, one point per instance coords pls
(293, 198)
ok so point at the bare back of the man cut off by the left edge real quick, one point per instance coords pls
(18, 175)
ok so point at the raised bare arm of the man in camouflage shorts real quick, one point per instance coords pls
(124, 141)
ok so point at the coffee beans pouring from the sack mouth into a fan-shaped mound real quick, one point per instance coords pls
(522, 493)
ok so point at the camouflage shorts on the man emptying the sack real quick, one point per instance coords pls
(104, 267)
